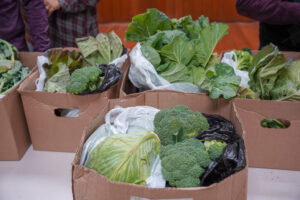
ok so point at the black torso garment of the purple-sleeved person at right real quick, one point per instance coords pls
(286, 37)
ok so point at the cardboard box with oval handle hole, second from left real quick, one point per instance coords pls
(54, 133)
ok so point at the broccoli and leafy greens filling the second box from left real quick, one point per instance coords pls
(77, 72)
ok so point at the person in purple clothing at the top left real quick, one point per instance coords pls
(13, 28)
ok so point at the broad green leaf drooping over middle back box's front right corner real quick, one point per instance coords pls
(221, 81)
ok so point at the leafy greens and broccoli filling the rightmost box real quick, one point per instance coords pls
(272, 77)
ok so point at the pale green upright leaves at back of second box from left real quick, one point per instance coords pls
(100, 50)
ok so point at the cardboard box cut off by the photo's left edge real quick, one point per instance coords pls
(14, 137)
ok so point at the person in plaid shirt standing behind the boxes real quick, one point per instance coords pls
(71, 19)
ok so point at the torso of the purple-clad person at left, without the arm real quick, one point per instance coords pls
(12, 27)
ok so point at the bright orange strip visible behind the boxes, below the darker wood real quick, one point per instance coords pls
(241, 35)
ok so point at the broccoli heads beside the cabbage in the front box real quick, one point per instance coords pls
(183, 157)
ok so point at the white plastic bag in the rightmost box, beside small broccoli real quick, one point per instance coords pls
(228, 59)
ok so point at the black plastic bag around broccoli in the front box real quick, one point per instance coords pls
(233, 158)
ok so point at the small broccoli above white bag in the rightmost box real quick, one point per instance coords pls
(244, 59)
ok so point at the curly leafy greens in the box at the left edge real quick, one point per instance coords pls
(11, 69)
